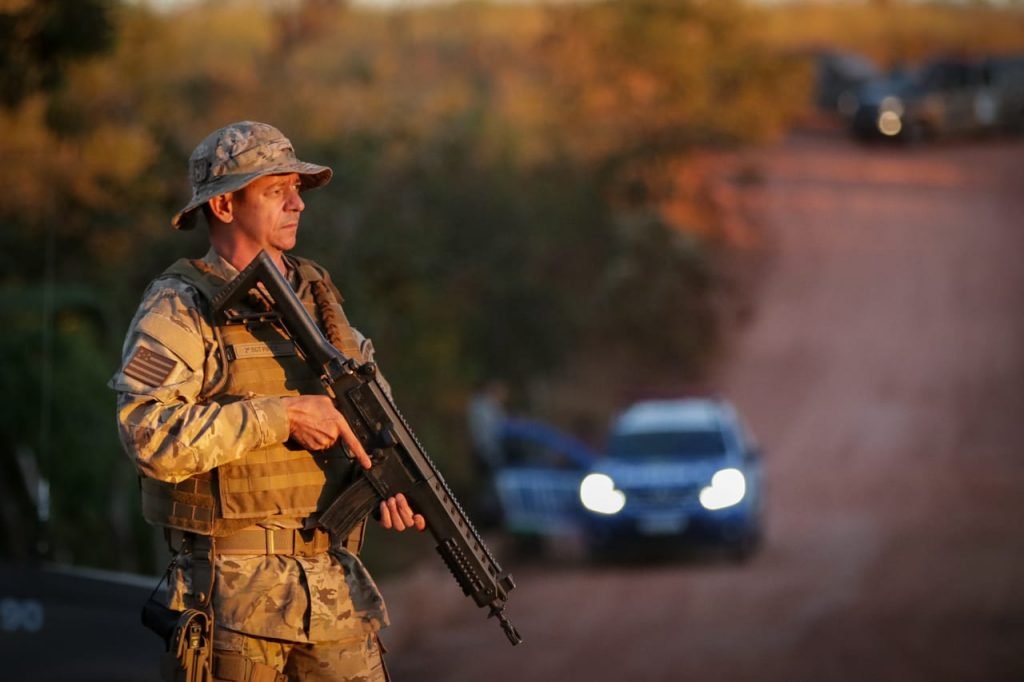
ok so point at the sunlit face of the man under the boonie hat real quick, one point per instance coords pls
(267, 212)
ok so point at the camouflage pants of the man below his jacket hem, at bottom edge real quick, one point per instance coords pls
(358, 660)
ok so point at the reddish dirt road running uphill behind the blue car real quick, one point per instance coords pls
(884, 373)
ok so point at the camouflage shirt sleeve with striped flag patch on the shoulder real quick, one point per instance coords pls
(169, 357)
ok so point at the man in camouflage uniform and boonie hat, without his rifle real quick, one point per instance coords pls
(238, 447)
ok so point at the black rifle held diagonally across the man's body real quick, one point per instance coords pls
(400, 462)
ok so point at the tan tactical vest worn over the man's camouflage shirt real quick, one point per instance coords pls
(260, 359)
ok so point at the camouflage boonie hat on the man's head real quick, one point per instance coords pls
(235, 156)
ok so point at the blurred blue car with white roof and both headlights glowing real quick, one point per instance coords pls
(675, 471)
